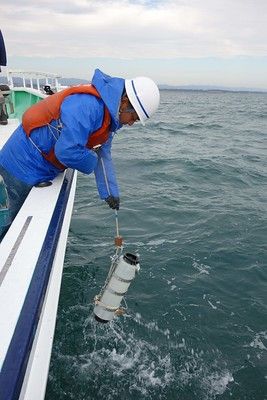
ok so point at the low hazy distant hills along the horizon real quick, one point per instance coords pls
(207, 88)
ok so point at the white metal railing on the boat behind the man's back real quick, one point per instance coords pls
(32, 78)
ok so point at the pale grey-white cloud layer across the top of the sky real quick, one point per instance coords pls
(135, 29)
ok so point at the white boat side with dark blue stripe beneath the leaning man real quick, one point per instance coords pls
(31, 263)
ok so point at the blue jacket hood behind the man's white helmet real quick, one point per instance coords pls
(110, 90)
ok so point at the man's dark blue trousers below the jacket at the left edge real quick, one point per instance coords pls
(17, 192)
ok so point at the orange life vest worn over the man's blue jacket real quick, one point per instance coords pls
(43, 112)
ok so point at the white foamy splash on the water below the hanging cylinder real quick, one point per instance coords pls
(159, 361)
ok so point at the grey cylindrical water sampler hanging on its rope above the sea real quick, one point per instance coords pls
(122, 271)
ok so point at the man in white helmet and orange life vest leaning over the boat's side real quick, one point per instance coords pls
(74, 128)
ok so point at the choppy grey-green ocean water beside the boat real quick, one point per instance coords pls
(194, 207)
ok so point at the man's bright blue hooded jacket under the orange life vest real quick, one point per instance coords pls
(81, 114)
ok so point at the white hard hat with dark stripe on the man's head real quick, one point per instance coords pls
(143, 94)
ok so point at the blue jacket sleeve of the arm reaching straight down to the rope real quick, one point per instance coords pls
(105, 173)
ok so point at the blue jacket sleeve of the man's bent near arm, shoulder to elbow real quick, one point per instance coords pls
(81, 114)
